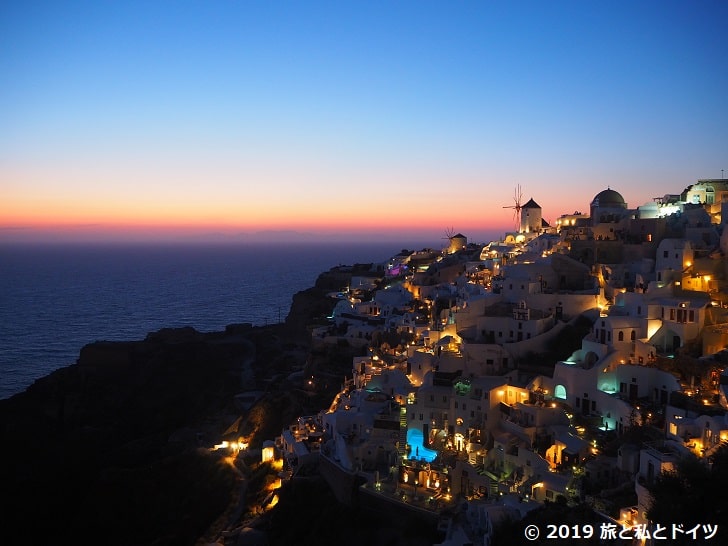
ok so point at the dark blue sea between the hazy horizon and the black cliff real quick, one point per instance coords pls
(55, 299)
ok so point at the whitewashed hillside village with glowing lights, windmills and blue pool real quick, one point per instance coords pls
(463, 392)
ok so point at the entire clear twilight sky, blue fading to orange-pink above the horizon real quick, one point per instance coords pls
(223, 119)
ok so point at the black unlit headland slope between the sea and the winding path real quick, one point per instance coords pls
(110, 450)
